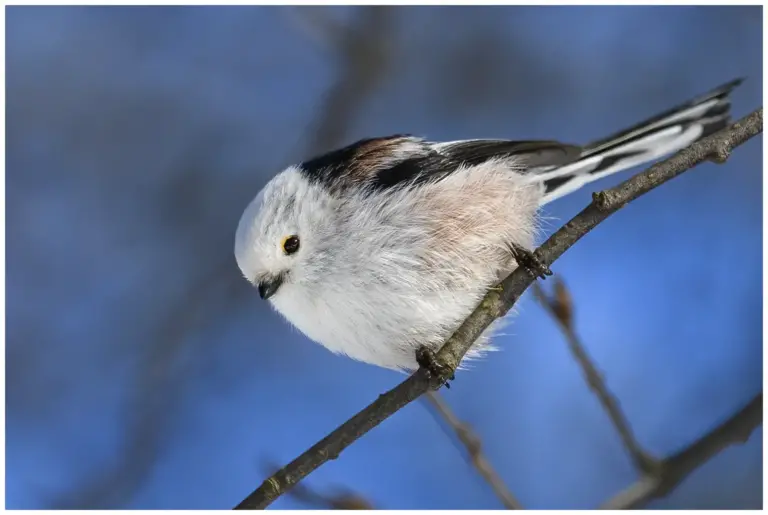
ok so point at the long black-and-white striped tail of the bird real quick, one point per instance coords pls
(663, 134)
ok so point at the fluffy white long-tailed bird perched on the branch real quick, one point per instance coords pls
(380, 249)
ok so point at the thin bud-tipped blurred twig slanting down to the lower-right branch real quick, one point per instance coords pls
(560, 306)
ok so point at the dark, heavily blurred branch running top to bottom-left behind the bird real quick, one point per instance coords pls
(361, 59)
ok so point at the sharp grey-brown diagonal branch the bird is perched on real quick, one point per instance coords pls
(498, 301)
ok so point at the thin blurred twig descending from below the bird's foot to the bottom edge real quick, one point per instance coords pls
(474, 448)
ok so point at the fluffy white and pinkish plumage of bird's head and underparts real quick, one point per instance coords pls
(379, 275)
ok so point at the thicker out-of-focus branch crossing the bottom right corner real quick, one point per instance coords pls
(674, 469)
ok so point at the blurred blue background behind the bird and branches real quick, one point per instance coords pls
(143, 372)
